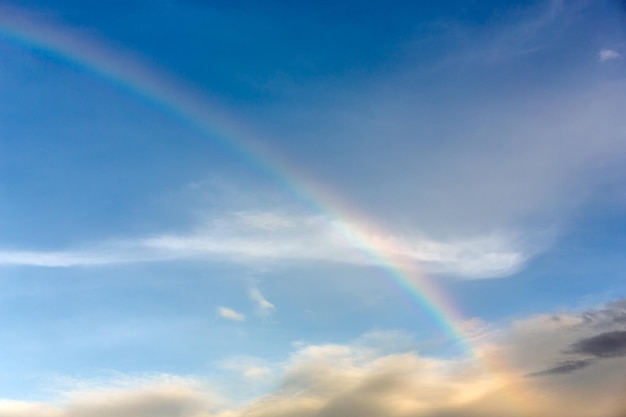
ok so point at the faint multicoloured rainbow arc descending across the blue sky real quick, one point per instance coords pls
(175, 99)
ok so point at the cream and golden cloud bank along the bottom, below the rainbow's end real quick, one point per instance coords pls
(365, 379)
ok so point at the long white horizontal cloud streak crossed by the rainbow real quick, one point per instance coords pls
(242, 237)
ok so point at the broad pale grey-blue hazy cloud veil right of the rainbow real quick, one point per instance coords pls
(469, 141)
